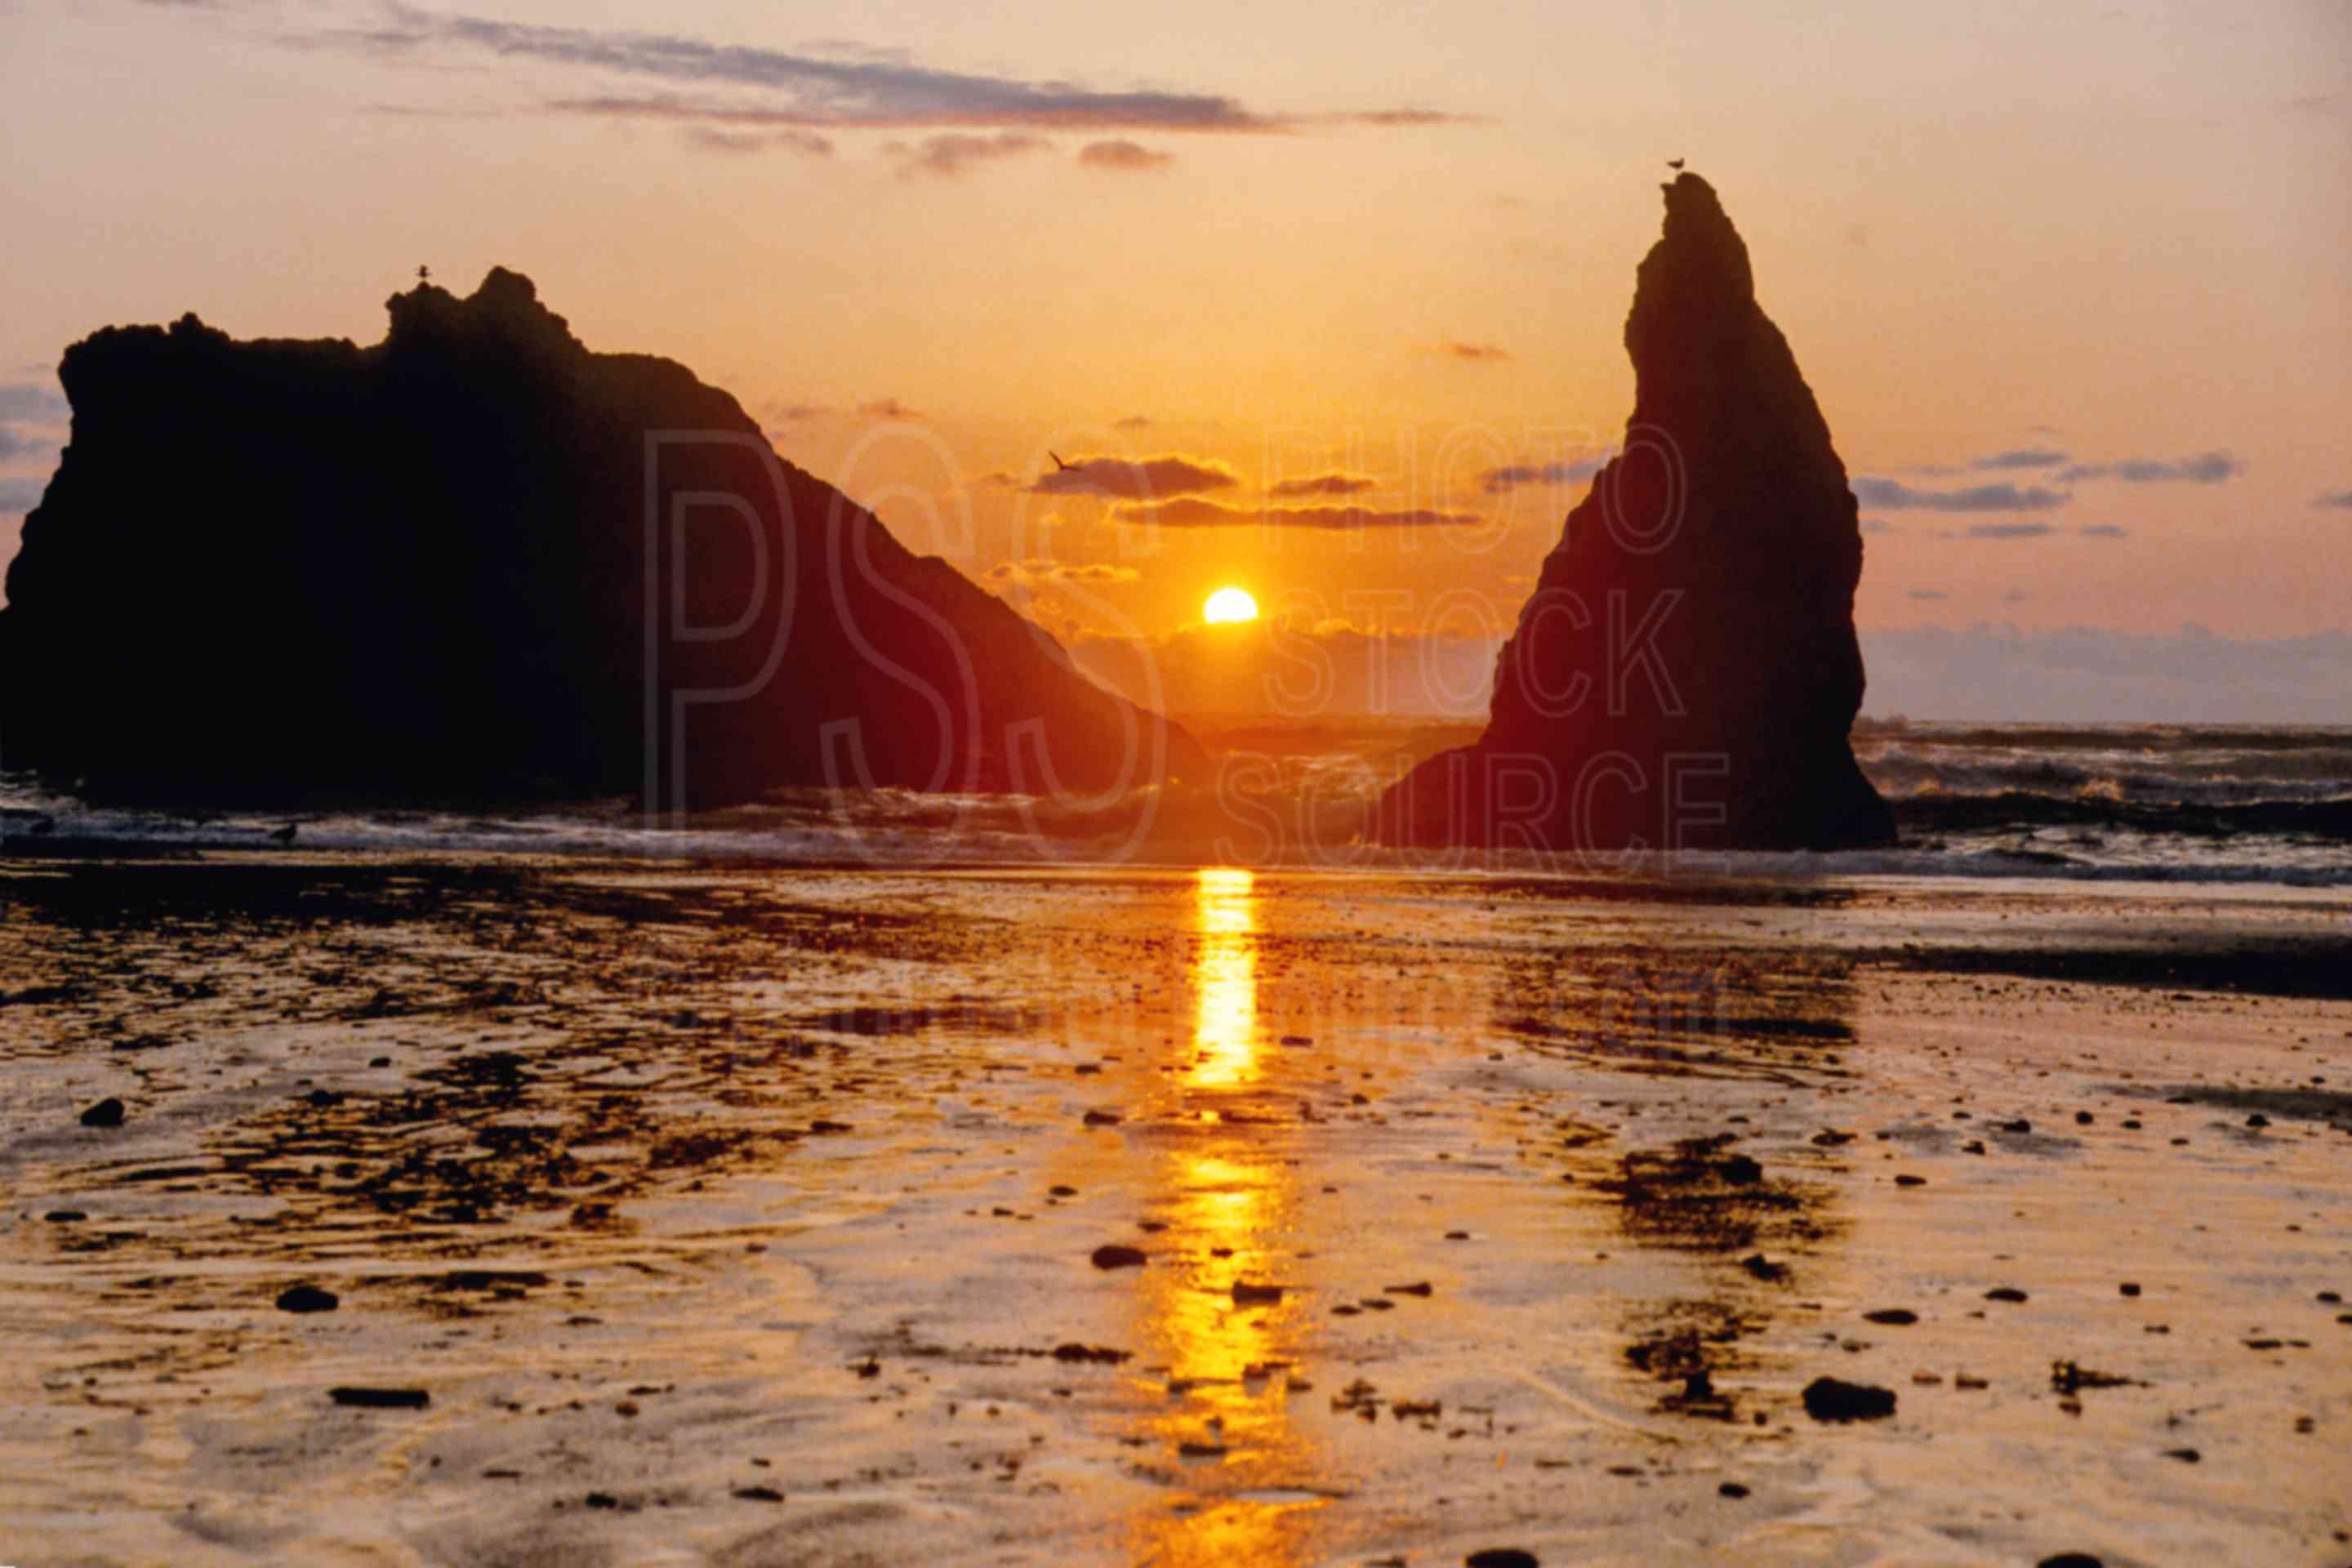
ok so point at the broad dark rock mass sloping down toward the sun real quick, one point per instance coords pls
(483, 561)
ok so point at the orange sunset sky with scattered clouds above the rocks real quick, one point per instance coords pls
(2071, 283)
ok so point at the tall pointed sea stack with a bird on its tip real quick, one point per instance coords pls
(1688, 671)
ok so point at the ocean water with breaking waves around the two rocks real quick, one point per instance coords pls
(2167, 803)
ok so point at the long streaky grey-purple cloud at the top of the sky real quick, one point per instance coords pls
(834, 86)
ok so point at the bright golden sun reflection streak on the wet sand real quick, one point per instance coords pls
(1231, 1205)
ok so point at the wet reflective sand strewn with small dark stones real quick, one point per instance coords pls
(749, 1217)
